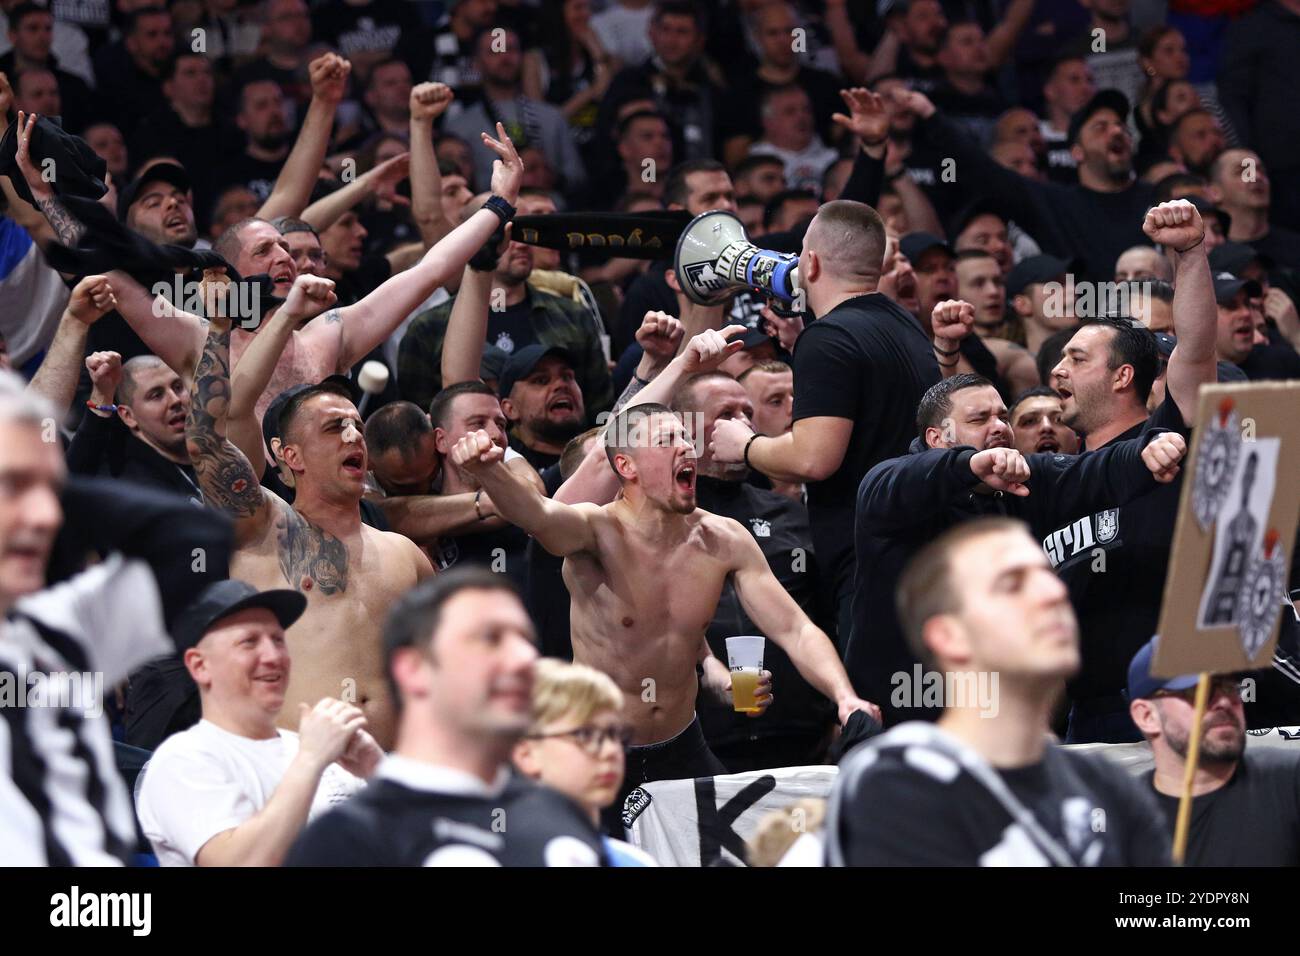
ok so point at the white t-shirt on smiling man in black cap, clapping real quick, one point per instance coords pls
(206, 781)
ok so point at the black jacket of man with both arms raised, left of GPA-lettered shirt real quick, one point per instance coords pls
(907, 503)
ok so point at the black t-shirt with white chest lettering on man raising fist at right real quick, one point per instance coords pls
(1119, 607)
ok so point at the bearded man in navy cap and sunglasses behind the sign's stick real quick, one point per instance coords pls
(1246, 806)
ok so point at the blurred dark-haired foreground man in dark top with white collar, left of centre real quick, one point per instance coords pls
(460, 655)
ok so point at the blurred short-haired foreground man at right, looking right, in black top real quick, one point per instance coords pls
(986, 786)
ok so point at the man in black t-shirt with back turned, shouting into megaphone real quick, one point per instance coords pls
(860, 373)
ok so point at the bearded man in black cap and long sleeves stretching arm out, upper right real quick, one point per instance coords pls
(1095, 220)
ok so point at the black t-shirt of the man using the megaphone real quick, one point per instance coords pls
(870, 362)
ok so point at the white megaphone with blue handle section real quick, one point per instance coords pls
(716, 258)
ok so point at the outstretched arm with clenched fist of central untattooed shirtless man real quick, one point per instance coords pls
(562, 530)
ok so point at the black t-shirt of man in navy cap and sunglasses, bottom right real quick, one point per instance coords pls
(1254, 820)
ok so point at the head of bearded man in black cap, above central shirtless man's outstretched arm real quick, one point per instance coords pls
(543, 403)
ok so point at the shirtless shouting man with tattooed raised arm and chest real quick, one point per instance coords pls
(350, 573)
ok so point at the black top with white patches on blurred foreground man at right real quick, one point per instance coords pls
(916, 806)
